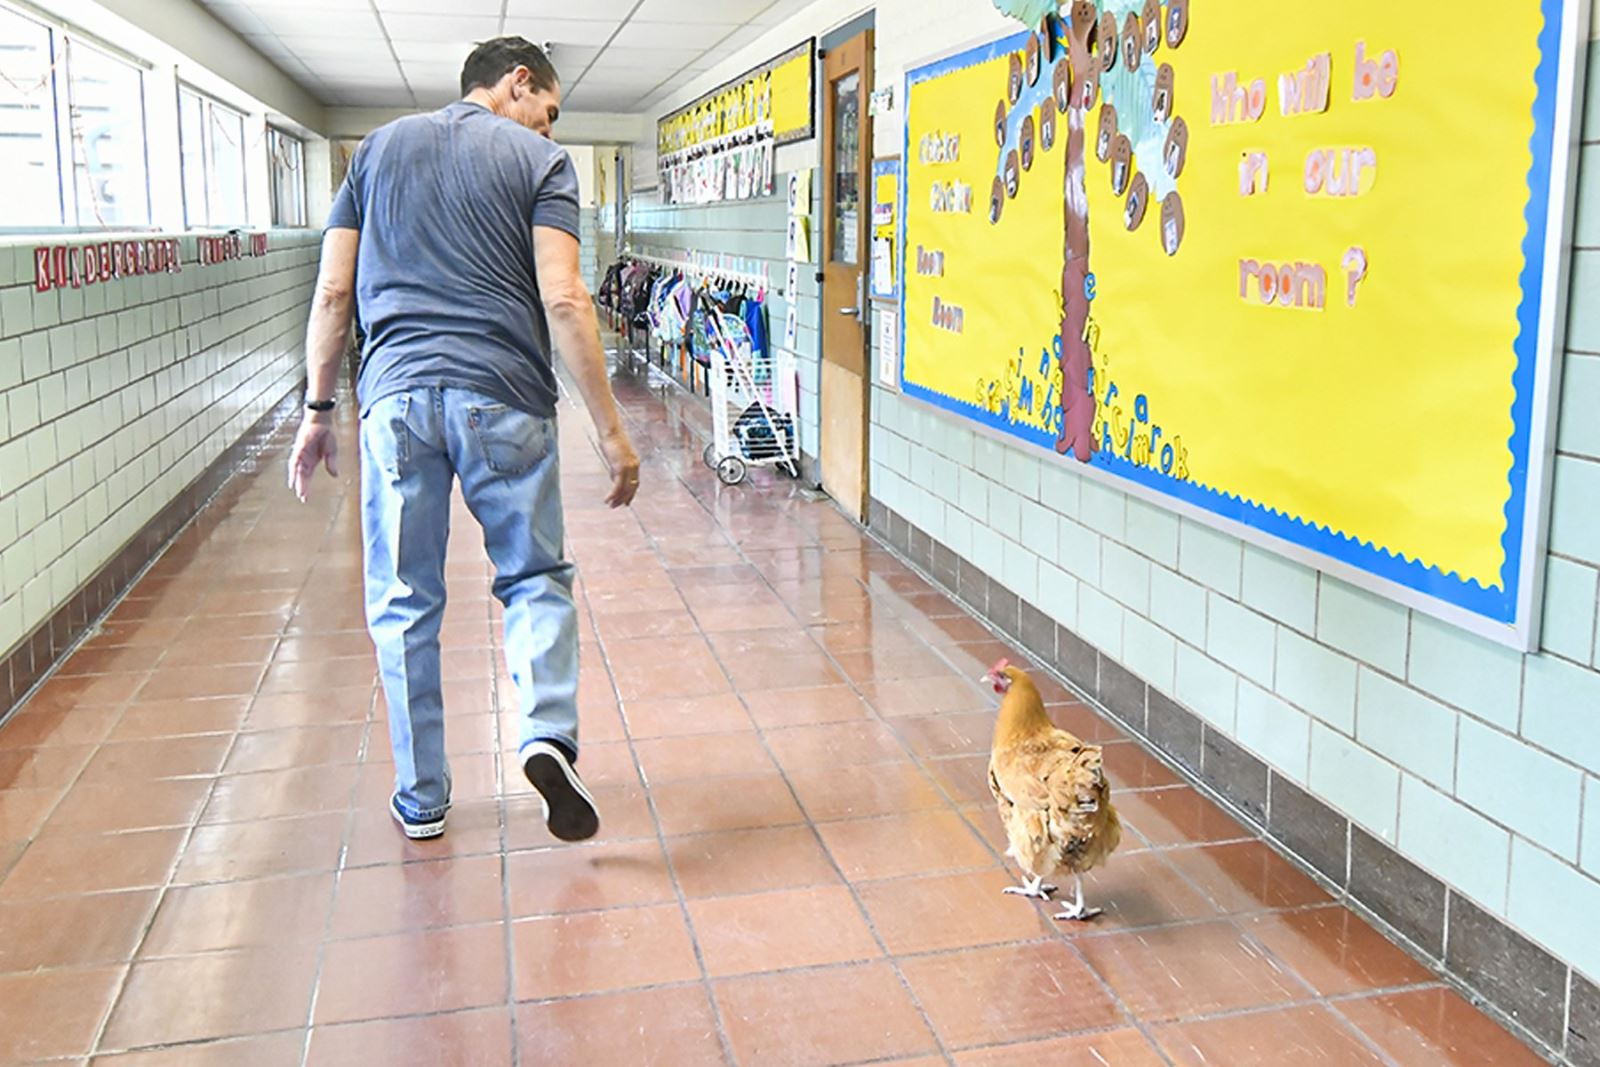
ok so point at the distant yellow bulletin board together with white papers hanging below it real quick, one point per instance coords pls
(722, 146)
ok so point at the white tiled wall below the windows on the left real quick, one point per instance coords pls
(118, 396)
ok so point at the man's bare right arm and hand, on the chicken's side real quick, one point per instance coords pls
(575, 332)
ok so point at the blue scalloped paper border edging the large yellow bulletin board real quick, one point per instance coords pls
(1495, 604)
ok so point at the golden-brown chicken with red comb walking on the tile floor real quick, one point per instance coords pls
(1054, 796)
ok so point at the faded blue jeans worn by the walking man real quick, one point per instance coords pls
(414, 447)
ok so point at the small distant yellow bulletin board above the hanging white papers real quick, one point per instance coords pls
(778, 97)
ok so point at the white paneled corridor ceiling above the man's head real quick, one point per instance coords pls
(612, 55)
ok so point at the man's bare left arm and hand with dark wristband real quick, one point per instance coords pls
(327, 335)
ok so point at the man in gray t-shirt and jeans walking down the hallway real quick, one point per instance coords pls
(457, 239)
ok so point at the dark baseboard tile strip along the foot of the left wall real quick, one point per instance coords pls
(38, 653)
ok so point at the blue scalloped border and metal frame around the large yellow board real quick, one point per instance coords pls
(1516, 618)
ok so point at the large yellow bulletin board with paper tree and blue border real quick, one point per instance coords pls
(1292, 271)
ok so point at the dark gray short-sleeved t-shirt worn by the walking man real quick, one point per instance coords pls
(446, 286)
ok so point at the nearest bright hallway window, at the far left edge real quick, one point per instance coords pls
(73, 132)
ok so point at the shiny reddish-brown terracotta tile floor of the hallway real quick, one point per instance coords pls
(799, 860)
